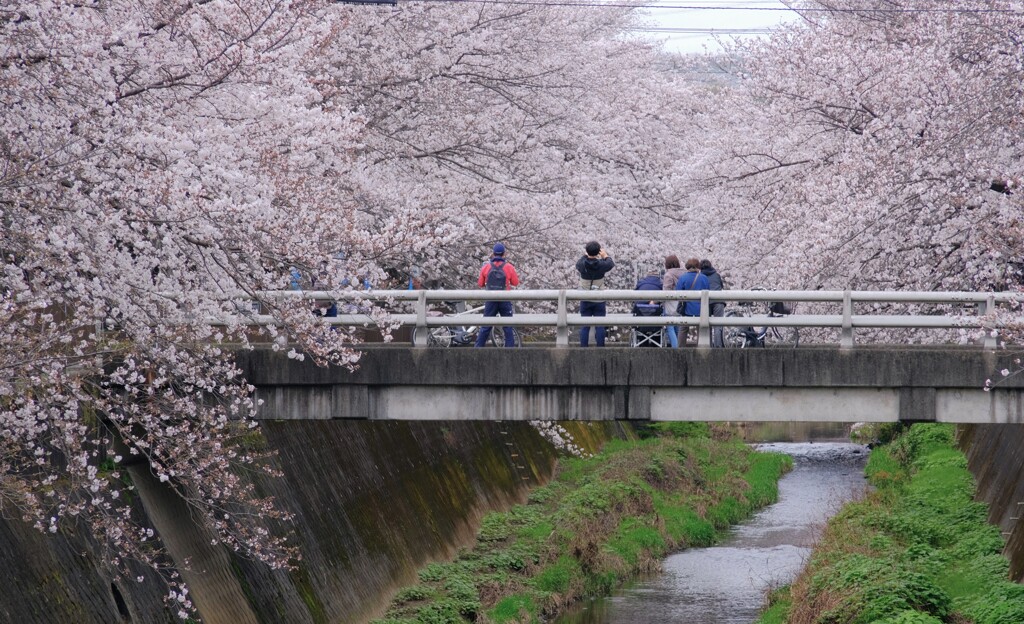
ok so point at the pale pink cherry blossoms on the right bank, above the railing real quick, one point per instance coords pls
(875, 145)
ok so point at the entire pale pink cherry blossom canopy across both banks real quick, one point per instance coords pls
(164, 163)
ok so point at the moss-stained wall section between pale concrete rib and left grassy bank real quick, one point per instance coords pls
(375, 502)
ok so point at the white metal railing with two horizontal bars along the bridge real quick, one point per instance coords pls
(977, 308)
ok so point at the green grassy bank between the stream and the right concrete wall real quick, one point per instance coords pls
(918, 551)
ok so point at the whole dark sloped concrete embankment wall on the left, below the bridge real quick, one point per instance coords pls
(373, 503)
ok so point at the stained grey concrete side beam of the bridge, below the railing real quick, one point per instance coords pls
(870, 385)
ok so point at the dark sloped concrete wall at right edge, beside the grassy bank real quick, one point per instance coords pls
(996, 457)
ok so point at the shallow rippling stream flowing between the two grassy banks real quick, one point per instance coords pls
(727, 584)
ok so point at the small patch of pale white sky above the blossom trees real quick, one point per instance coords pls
(754, 18)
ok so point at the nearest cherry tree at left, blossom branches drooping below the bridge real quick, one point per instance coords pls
(161, 163)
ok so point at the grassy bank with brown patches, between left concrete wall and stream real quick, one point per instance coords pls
(599, 523)
